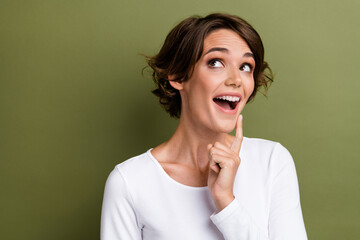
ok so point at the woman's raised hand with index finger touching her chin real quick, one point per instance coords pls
(224, 162)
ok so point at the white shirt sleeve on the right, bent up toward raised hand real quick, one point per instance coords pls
(285, 216)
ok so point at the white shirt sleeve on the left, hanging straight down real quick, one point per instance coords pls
(118, 215)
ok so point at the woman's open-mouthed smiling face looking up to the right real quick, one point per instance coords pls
(221, 83)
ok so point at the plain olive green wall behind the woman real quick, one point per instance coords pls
(73, 104)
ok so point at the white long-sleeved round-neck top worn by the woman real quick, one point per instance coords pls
(141, 201)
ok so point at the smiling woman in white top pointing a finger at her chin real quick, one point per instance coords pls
(204, 183)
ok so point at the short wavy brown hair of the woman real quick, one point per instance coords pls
(183, 47)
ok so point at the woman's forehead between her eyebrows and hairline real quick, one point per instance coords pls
(225, 38)
